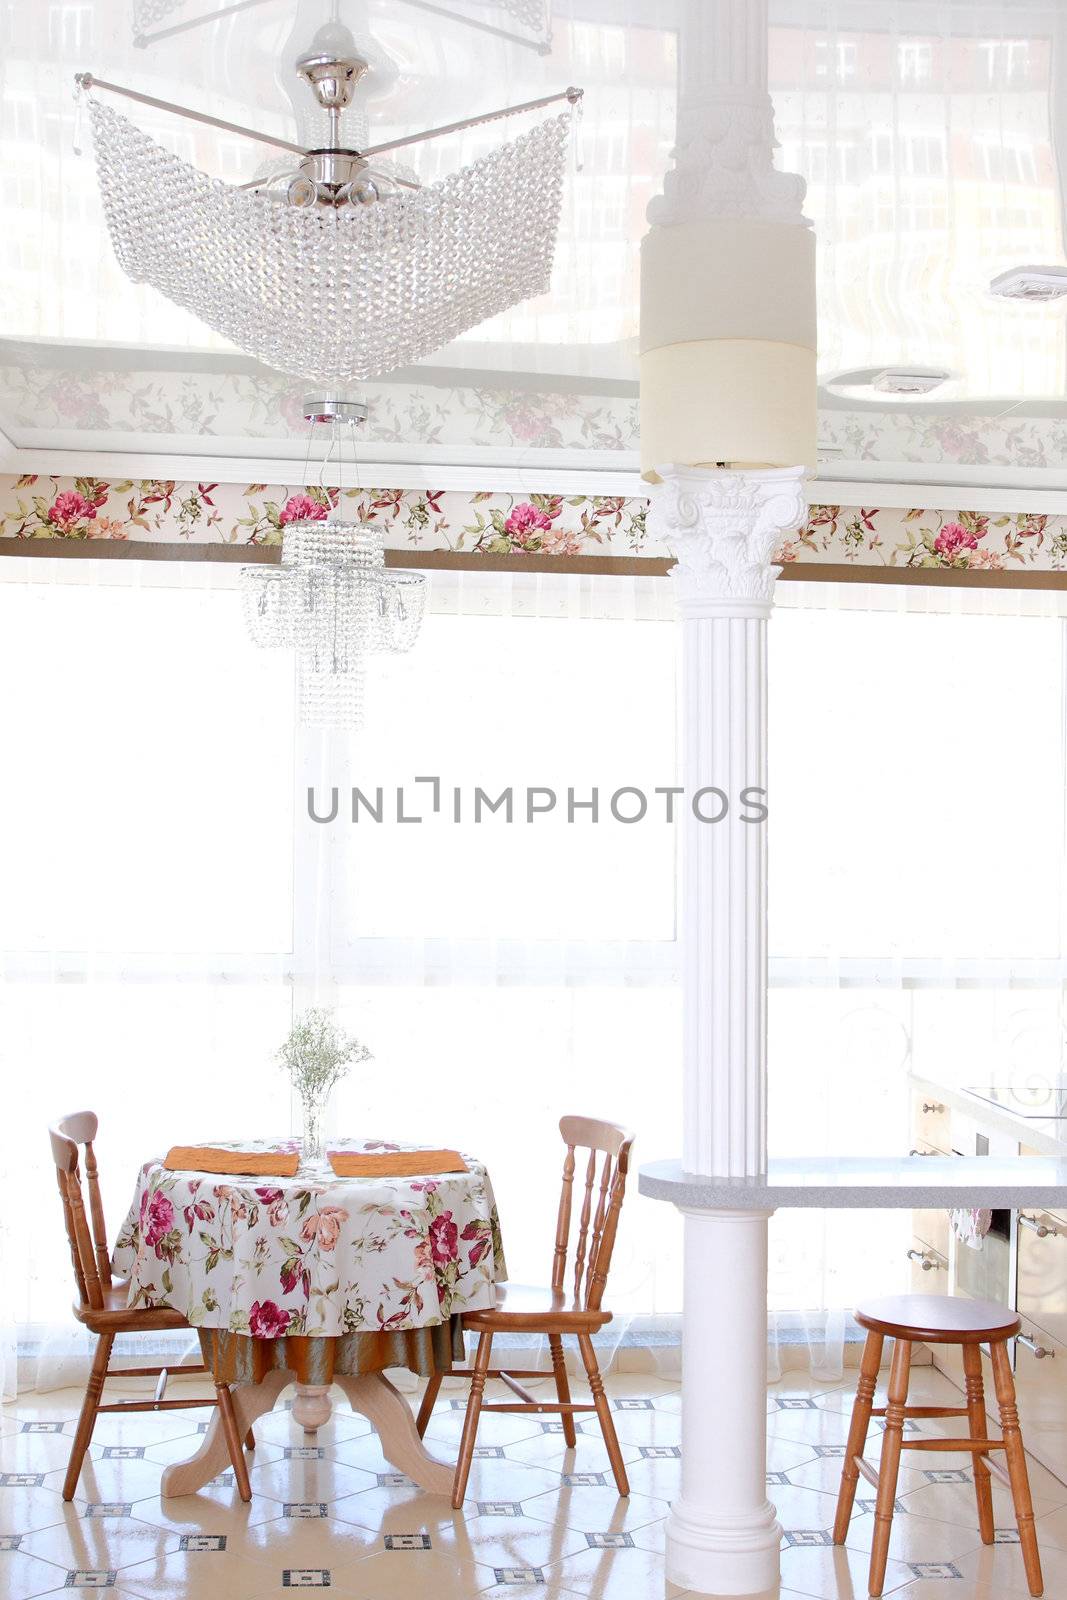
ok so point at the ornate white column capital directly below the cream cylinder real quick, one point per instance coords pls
(724, 529)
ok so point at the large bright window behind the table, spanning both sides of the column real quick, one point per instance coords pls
(169, 902)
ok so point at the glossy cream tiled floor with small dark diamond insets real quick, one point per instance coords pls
(540, 1521)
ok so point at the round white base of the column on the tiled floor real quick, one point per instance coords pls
(724, 1559)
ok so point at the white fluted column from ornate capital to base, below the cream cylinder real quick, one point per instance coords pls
(722, 1534)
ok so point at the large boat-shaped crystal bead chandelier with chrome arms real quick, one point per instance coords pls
(345, 266)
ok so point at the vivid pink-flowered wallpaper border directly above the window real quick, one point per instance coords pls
(497, 524)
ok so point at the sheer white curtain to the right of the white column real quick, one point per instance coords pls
(917, 887)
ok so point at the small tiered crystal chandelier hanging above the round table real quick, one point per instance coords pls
(332, 598)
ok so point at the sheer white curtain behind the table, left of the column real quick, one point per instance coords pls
(170, 903)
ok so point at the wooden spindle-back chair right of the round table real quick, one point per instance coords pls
(554, 1311)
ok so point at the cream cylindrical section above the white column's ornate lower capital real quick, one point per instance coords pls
(729, 345)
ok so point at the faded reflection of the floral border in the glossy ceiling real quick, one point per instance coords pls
(118, 402)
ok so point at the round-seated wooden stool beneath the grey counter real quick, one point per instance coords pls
(937, 1319)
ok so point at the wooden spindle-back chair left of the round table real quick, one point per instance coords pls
(102, 1306)
